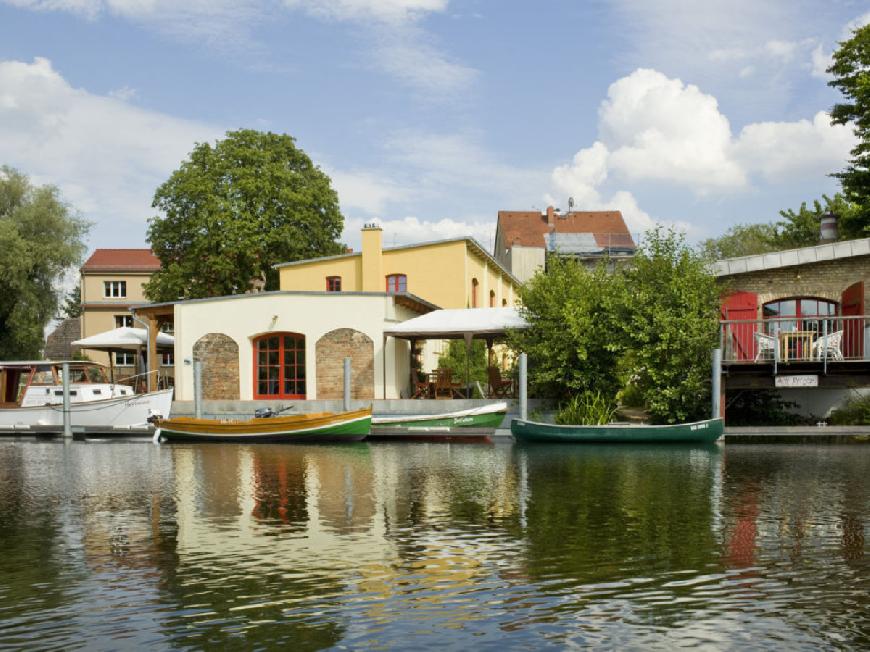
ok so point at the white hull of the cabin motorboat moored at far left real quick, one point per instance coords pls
(108, 413)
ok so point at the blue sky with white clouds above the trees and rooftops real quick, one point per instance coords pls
(433, 115)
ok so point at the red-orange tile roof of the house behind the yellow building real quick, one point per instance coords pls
(527, 228)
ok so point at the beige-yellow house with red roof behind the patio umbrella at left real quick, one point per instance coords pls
(112, 281)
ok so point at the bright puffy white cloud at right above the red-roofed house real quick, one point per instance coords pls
(653, 128)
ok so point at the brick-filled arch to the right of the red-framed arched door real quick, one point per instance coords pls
(331, 351)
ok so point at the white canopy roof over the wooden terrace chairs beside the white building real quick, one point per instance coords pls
(459, 323)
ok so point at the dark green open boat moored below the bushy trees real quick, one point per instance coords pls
(699, 431)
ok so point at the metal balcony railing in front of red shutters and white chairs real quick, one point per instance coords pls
(785, 340)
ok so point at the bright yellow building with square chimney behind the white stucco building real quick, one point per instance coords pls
(455, 273)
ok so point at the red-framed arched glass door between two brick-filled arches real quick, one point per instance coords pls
(279, 366)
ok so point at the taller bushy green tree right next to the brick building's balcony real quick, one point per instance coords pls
(669, 326)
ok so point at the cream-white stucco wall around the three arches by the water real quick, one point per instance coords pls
(245, 317)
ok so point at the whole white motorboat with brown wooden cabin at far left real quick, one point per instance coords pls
(31, 394)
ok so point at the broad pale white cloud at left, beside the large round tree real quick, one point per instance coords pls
(105, 155)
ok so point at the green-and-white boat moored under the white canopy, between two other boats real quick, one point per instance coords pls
(472, 423)
